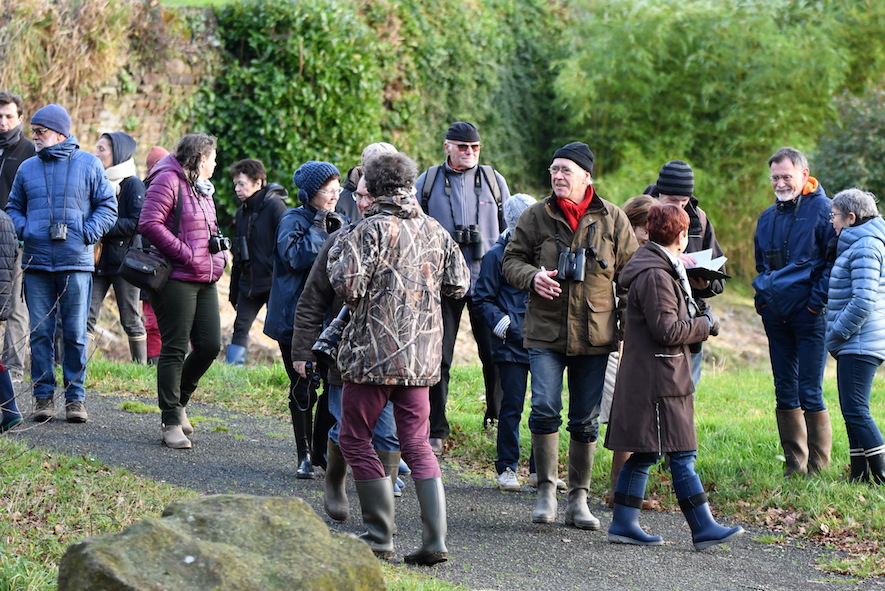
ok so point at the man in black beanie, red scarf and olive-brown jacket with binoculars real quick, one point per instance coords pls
(566, 252)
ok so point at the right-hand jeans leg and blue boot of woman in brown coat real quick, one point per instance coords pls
(705, 532)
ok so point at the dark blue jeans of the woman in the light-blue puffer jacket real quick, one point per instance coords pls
(854, 374)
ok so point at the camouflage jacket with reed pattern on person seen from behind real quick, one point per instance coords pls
(390, 270)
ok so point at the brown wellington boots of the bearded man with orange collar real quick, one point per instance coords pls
(807, 440)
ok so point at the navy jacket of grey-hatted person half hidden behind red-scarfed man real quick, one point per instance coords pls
(495, 298)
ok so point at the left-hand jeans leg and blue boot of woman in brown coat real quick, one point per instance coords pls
(629, 492)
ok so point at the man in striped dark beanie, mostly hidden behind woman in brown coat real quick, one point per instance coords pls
(675, 185)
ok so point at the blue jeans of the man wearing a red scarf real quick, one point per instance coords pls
(586, 378)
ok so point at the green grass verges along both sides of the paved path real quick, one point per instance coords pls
(51, 501)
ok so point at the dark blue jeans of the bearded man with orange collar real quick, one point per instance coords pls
(798, 357)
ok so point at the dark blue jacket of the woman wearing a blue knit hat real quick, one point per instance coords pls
(298, 244)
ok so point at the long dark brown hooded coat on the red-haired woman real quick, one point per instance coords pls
(653, 407)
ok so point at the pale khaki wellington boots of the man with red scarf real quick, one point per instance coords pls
(580, 465)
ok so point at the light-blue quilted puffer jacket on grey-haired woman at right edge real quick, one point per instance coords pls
(856, 312)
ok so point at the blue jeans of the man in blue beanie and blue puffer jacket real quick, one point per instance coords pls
(64, 295)
